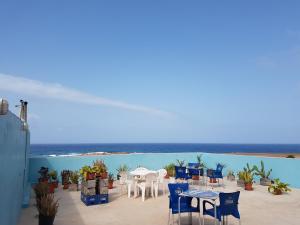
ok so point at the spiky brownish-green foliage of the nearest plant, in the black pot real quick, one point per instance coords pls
(47, 206)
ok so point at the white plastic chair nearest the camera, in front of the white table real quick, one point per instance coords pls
(144, 185)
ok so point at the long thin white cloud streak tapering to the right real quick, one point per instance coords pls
(39, 89)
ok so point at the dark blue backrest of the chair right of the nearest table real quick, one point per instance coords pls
(229, 203)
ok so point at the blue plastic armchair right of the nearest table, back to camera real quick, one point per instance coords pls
(228, 206)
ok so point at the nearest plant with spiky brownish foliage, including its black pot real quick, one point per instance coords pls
(47, 208)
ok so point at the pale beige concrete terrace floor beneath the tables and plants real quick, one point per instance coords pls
(256, 207)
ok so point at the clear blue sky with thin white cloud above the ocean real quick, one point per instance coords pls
(154, 71)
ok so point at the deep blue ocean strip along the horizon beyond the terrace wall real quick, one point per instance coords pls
(75, 149)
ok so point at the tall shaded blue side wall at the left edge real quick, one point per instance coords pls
(14, 150)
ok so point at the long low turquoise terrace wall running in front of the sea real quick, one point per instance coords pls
(285, 169)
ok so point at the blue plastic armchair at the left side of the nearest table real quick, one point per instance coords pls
(185, 202)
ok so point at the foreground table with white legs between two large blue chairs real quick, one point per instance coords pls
(208, 195)
